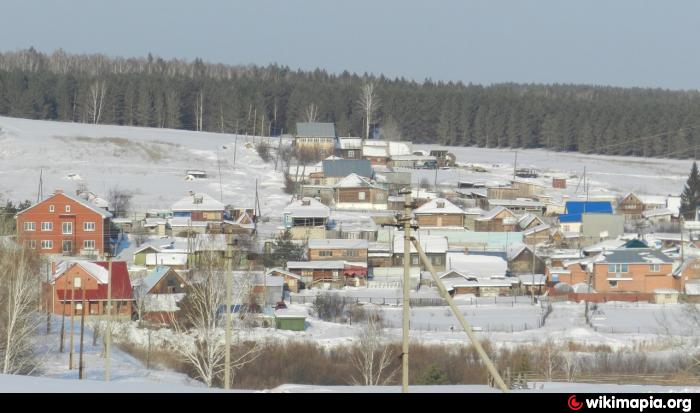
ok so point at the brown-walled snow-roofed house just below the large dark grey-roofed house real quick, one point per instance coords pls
(356, 192)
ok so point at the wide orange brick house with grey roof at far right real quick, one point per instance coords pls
(641, 270)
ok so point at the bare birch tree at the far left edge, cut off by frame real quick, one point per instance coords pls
(19, 277)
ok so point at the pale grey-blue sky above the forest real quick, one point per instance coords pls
(610, 42)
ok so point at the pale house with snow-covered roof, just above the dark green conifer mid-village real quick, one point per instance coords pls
(306, 218)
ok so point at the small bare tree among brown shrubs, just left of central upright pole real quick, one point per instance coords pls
(373, 358)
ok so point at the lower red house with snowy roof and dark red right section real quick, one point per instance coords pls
(70, 278)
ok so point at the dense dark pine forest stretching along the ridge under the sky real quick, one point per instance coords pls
(251, 99)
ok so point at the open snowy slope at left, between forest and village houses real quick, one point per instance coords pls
(149, 161)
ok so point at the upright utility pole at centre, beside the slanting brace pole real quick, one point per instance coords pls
(406, 220)
